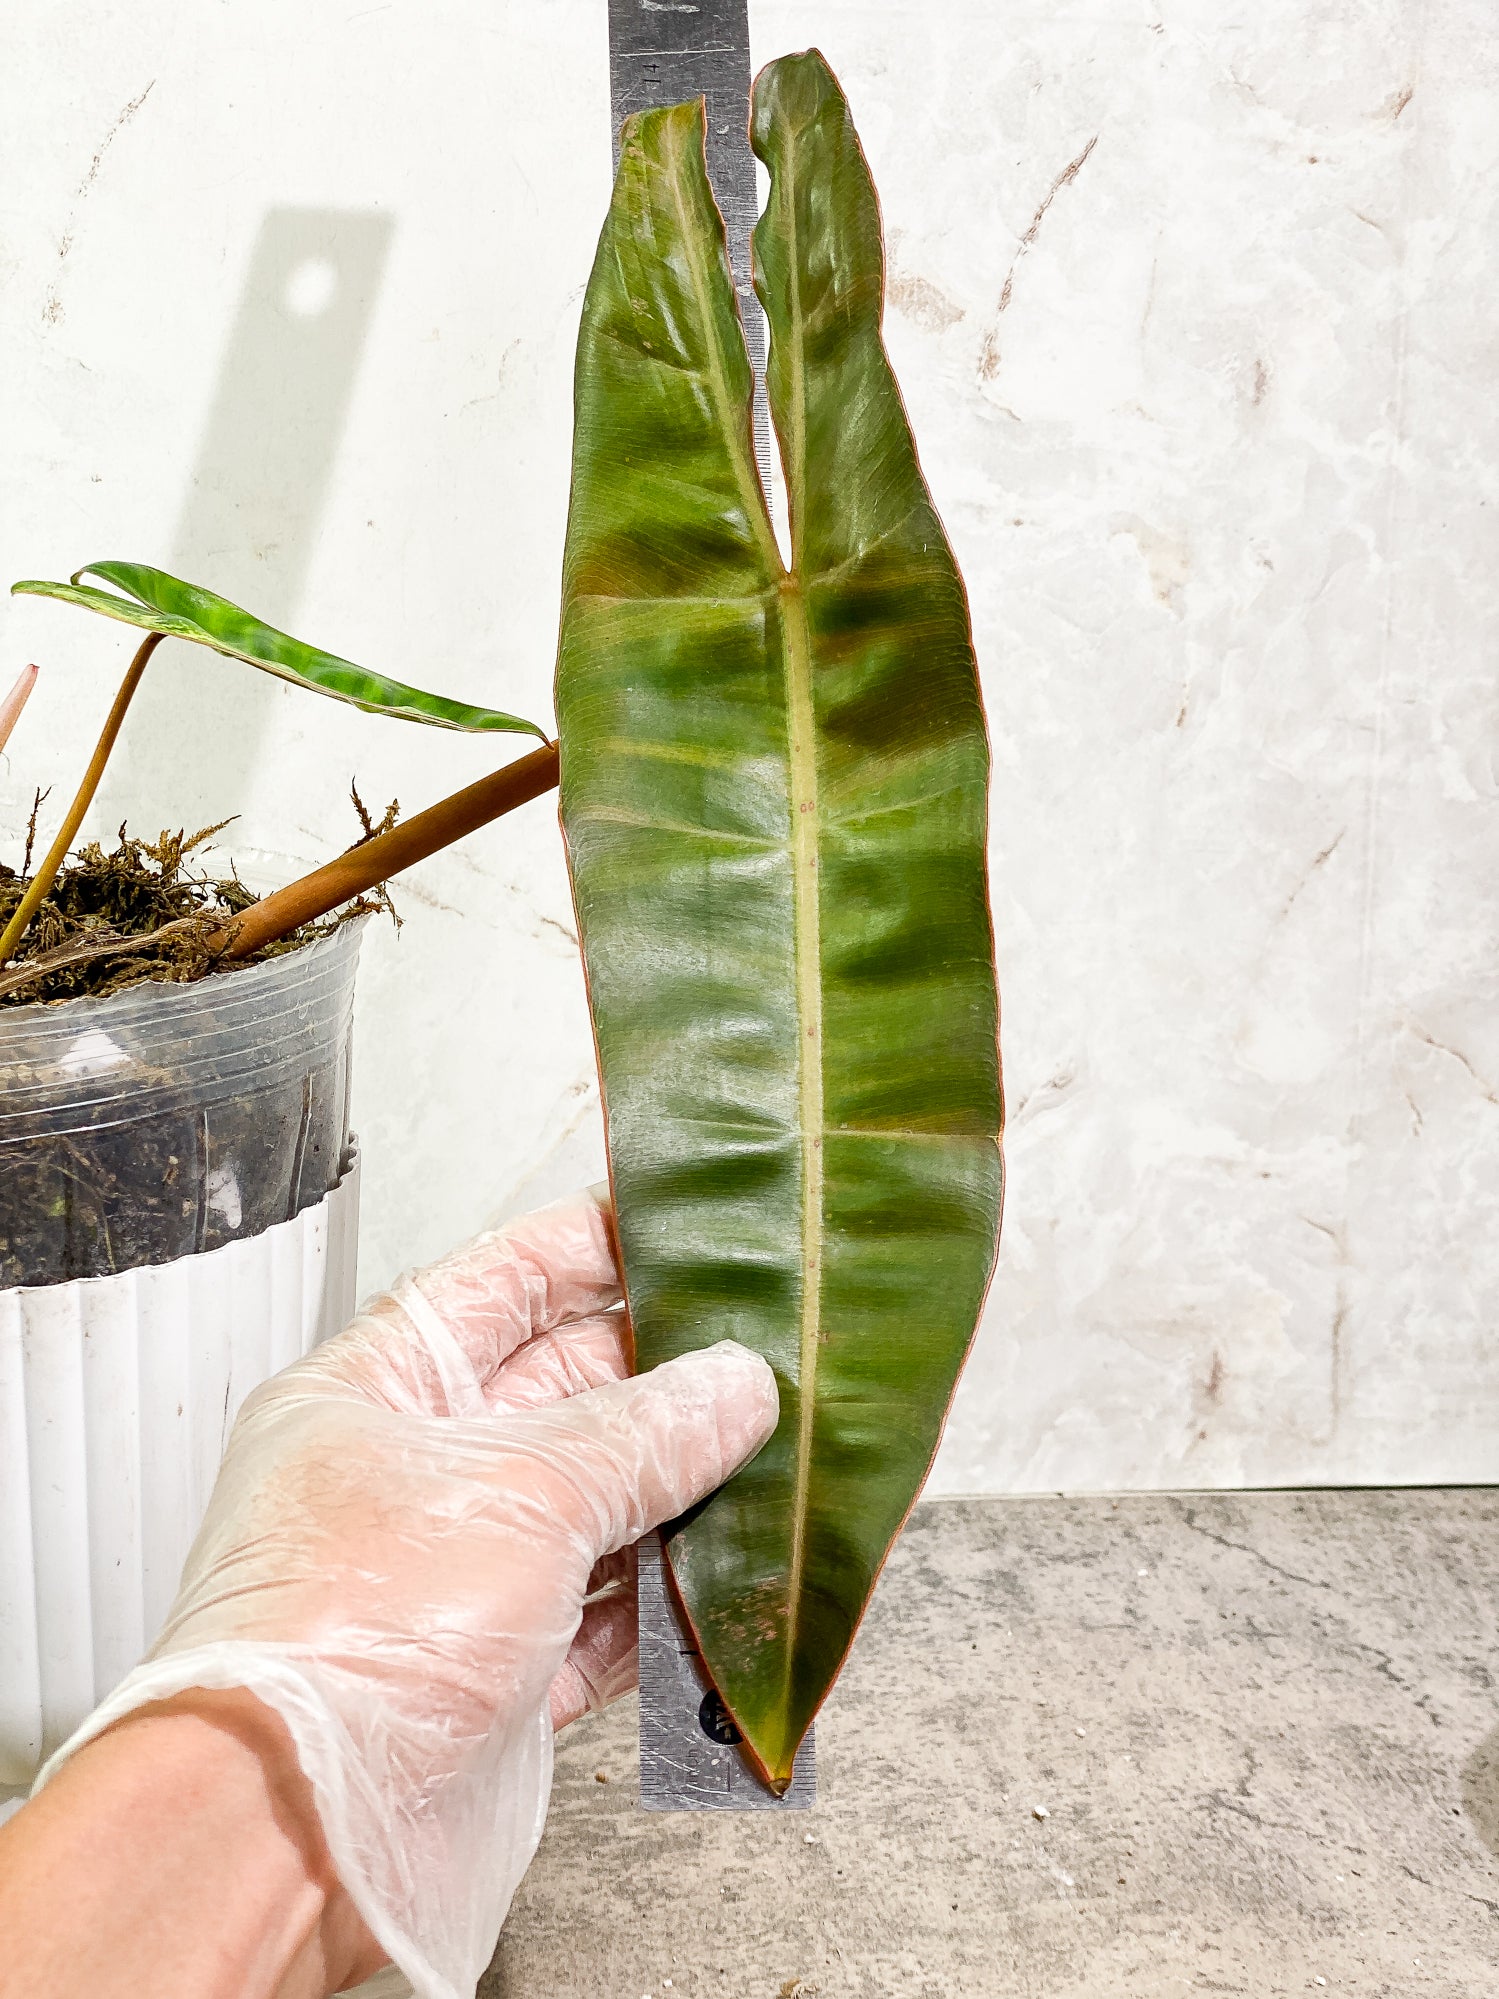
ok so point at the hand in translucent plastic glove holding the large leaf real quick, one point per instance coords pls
(417, 1556)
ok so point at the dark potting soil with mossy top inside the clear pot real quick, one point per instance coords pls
(177, 1174)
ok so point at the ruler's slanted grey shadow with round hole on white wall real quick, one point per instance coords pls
(253, 509)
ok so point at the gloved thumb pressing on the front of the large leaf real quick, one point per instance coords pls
(633, 1454)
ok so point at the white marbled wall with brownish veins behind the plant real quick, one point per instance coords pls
(1196, 323)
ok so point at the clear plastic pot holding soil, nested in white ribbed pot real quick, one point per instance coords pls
(169, 1120)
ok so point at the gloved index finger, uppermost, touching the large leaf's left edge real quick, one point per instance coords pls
(435, 1342)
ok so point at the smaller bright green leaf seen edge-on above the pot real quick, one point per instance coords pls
(161, 603)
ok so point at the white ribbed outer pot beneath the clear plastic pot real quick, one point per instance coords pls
(117, 1396)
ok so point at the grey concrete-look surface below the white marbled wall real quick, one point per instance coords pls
(1262, 1730)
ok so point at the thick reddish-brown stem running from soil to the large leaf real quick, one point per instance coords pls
(377, 861)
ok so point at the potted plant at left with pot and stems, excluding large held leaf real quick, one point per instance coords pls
(177, 1204)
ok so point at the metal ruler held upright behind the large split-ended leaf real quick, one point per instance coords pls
(665, 53)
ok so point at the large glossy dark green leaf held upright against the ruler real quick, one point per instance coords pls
(774, 799)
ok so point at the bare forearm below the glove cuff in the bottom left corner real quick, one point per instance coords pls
(179, 1854)
